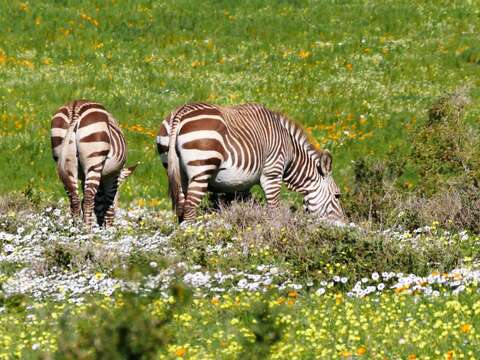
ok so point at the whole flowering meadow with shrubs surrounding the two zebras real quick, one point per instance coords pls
(360, 76)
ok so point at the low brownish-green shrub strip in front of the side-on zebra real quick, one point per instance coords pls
(311, 249)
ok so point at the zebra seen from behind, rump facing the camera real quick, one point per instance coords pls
(87, 144)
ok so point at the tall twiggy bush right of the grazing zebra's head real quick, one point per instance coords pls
(444, 157)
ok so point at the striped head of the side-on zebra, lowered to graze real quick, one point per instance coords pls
(324, 199)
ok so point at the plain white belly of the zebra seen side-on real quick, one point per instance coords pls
(232, 179)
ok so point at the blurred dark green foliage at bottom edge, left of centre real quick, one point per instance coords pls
(126, 331)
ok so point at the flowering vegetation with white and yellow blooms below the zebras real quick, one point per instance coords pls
(256, 283)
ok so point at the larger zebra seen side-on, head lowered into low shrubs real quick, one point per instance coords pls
(226, 149)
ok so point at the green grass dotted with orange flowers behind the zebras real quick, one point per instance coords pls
(322, 63)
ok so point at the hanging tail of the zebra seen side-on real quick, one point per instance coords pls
(174, 175)
